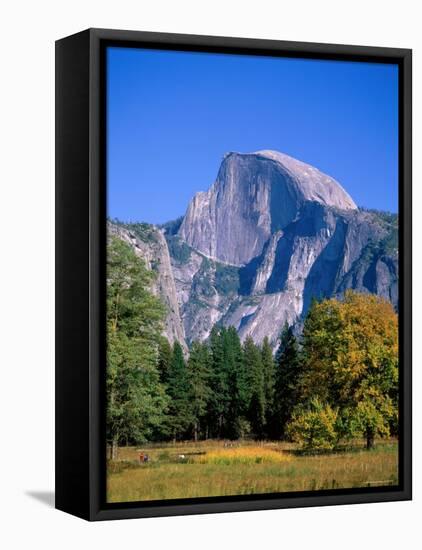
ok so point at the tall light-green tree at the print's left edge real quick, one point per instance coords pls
(136, 401)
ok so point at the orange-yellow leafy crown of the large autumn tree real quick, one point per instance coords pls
(349, 341)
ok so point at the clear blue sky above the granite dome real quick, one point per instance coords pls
(172, 115)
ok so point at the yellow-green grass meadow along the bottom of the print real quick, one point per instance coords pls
(218, 468)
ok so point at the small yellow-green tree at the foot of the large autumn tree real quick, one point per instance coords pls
(314, 427)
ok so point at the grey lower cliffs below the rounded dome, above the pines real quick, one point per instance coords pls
(321, 254)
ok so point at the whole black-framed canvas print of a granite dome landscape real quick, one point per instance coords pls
(233, 274)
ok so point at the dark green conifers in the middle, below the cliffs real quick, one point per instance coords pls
(225, 389)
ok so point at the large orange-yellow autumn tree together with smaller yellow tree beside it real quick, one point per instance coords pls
(350, 367)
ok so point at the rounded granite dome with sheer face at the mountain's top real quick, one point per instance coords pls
(254, 196)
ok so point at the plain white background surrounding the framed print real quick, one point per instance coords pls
(28, 32)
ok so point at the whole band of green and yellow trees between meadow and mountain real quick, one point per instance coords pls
(338, 380)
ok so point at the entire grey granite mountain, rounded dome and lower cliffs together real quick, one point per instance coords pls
(269, 235)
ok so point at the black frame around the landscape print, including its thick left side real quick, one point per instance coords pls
(80, 272)
